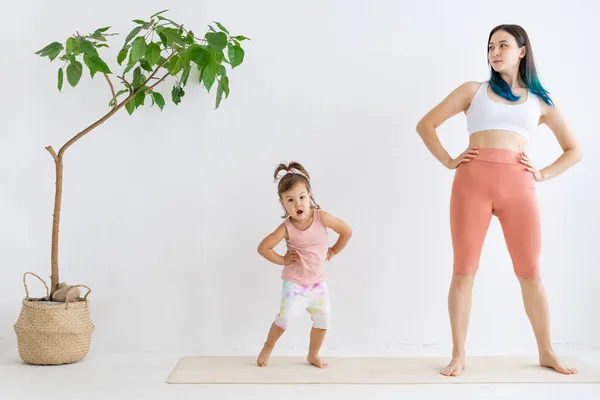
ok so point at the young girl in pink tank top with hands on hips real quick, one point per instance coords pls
(304, 284)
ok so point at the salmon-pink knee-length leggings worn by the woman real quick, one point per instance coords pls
(495, 183)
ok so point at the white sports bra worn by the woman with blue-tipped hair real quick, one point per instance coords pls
(485, 114)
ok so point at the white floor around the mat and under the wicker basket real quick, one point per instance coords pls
(123, 376)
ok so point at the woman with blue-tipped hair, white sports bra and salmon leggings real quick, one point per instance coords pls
(496, 177)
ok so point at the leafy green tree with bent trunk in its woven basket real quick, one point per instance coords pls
(57, 328)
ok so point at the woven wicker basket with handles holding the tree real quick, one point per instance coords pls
(50, 333)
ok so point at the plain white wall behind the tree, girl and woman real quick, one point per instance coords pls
(162, 212)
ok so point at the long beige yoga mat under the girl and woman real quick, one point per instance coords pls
(373, 370)
